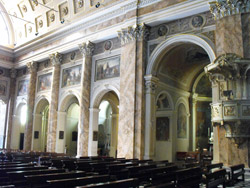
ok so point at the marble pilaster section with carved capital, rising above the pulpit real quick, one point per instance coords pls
(232, 26)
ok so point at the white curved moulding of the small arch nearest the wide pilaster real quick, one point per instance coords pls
(100, 92)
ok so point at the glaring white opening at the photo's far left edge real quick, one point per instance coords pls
(3, 109)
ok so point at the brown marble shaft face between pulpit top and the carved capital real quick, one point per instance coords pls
(228, 35)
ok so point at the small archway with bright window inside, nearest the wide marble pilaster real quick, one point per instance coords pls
(104, 116)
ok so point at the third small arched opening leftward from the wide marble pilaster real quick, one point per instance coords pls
(40, 126)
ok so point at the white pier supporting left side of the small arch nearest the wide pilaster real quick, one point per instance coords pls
(93, 121)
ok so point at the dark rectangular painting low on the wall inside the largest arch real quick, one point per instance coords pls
(162, 128)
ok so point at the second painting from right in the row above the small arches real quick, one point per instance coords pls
(71, 76)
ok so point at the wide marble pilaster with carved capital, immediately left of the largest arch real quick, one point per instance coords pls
(127, 105)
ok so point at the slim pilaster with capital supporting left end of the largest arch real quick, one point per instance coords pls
(151, 85)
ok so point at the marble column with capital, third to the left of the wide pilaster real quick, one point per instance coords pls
(32, 68)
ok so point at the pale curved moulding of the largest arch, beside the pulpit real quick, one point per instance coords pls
(171, 42)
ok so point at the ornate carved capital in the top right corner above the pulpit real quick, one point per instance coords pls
(223, 8)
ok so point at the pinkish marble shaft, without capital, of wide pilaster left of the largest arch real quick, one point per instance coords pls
(127, 101)
